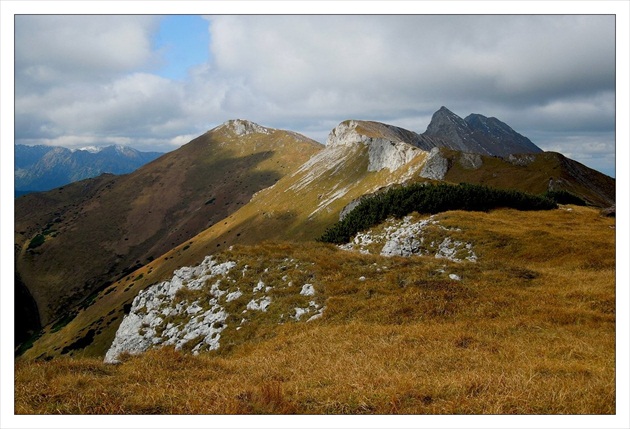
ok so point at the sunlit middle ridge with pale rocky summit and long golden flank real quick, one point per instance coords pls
(299, 206)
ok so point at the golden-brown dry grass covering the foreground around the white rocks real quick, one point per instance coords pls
(529, 329)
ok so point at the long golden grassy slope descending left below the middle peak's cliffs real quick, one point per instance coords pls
(288, 210)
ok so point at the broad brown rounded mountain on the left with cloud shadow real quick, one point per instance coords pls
(99, 230)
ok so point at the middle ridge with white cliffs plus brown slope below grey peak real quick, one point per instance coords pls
(360, 158)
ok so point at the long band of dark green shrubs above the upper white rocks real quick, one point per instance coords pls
(431, 199)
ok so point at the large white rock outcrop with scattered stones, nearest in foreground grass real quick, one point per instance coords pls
(174, 313)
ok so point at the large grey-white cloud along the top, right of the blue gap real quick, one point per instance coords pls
(406, 61)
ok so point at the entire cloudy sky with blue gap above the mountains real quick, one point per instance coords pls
(156, 82)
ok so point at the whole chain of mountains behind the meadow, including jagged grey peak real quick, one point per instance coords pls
(84, 252)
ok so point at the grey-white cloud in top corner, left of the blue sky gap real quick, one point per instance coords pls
(64, 48)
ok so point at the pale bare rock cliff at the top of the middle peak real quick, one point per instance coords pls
(388, 147)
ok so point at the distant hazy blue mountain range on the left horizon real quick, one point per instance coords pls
(41, 168)
